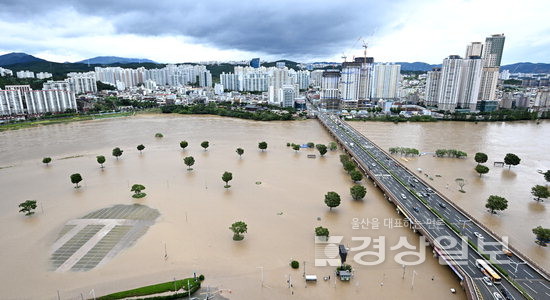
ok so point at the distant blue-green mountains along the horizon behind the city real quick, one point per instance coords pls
(22, 61)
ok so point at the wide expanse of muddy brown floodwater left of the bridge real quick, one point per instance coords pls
(196, 211)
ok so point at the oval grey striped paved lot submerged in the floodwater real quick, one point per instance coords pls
(94, 239)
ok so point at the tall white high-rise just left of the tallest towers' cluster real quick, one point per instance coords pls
(449, 86)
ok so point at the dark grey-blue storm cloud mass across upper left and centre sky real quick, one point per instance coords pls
(287, 28)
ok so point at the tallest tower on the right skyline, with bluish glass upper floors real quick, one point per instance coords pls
(492, 56)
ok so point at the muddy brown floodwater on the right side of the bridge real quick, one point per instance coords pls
(528, 140)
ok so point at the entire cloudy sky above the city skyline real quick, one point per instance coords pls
(302, 30)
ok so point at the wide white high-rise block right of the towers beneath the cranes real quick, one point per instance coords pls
(385, 81)
